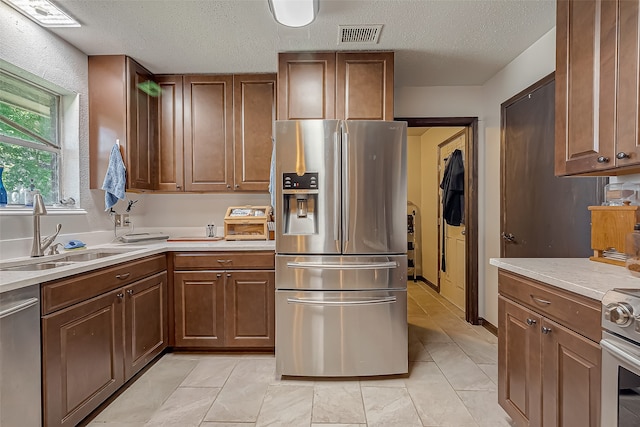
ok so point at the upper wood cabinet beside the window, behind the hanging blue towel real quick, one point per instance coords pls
(119, 110)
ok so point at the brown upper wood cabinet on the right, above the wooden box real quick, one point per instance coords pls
(597, 87)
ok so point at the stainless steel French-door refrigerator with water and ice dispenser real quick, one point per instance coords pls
(341, 264)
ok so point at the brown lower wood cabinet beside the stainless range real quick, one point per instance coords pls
(549, 374)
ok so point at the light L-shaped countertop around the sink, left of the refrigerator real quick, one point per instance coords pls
(11, 280)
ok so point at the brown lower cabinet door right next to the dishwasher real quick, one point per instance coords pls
(82, 358)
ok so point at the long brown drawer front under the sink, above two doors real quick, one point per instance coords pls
(63, 293)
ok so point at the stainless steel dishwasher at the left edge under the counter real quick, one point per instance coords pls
(20, 370)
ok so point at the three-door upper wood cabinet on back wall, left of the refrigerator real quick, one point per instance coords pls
(214, 132)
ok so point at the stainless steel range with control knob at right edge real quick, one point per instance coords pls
(621, 358)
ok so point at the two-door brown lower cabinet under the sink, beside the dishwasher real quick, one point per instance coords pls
(91, 348)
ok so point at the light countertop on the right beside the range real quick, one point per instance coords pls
(578, 275)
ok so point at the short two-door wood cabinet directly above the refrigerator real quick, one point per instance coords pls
(330, 85)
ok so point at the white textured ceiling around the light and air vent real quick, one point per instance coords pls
(437, 42)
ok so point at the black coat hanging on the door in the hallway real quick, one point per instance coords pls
(453, 190)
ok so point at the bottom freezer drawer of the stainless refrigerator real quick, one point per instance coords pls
(337, 334)
